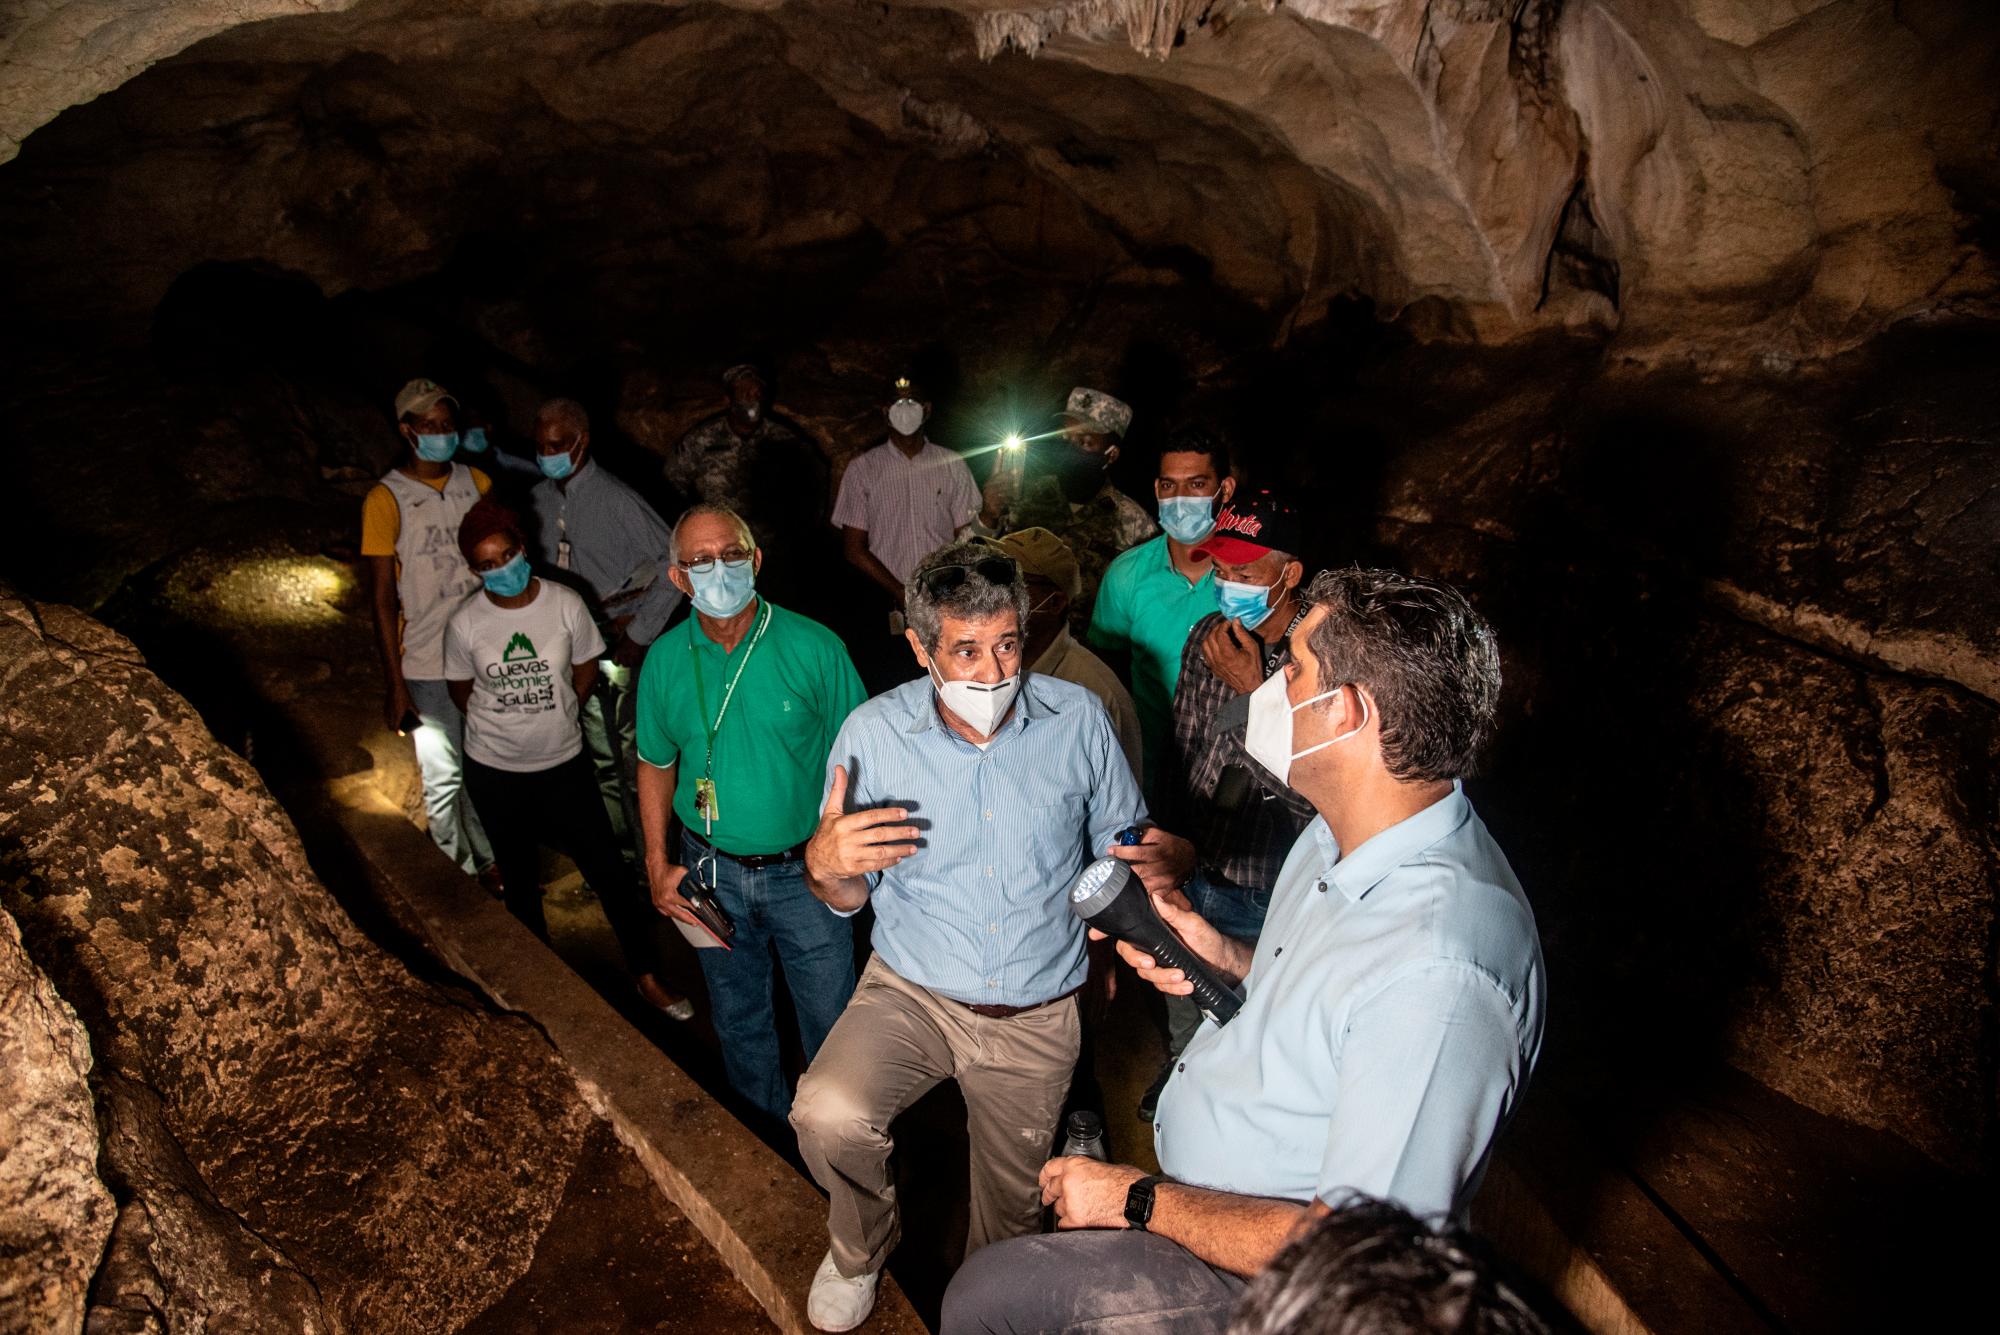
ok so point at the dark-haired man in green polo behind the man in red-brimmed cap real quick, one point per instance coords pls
(1155, 593)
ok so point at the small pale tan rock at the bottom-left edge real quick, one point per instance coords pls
(55, 1214)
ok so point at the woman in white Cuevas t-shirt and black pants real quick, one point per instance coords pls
(519, 657)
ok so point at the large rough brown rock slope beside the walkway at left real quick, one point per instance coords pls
(311, 1138)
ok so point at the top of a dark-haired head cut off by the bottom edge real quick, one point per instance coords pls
(1373, 1268)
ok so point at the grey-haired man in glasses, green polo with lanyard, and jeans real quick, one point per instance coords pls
(737, 712)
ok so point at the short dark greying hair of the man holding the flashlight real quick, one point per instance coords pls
(1423, 655)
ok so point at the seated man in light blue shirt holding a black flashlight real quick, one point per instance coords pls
(1393, 1006)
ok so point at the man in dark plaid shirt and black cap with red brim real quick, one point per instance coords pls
(1241, 818)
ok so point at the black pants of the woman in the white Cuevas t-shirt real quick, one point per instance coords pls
(561, 808)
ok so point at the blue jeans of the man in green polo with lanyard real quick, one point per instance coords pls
(771, 908)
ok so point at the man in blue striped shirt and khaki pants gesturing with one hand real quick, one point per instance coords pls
(979, 794)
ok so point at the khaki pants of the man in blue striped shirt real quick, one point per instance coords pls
(889, 1048)
